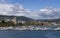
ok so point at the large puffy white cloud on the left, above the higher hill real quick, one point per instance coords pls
(11, 9)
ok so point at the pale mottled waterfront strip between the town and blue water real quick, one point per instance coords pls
(31, 28)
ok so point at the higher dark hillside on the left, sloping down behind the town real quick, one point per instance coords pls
(21, 18)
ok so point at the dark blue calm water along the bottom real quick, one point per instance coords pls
(29, 34)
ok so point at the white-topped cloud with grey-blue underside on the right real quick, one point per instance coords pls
(49, 13)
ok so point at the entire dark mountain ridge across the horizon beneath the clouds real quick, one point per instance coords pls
(23, 18)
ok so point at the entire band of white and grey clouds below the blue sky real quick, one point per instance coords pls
(19, 10)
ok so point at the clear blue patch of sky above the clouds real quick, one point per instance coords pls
(37, 4)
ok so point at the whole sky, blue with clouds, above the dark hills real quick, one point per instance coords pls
(36, 9)
